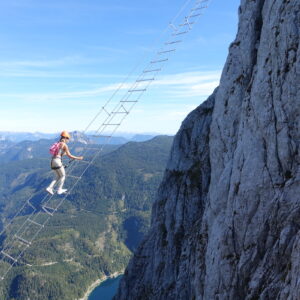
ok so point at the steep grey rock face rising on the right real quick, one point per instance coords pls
(226, 221)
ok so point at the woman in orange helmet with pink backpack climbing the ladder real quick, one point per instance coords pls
(56, 163)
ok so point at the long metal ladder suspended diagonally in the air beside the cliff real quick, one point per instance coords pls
(27, 223)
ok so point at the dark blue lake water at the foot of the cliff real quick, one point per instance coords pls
(106, 290)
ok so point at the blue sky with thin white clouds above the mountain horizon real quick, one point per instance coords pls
(60, 60)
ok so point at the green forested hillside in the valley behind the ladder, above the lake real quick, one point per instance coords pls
(95, 230)
